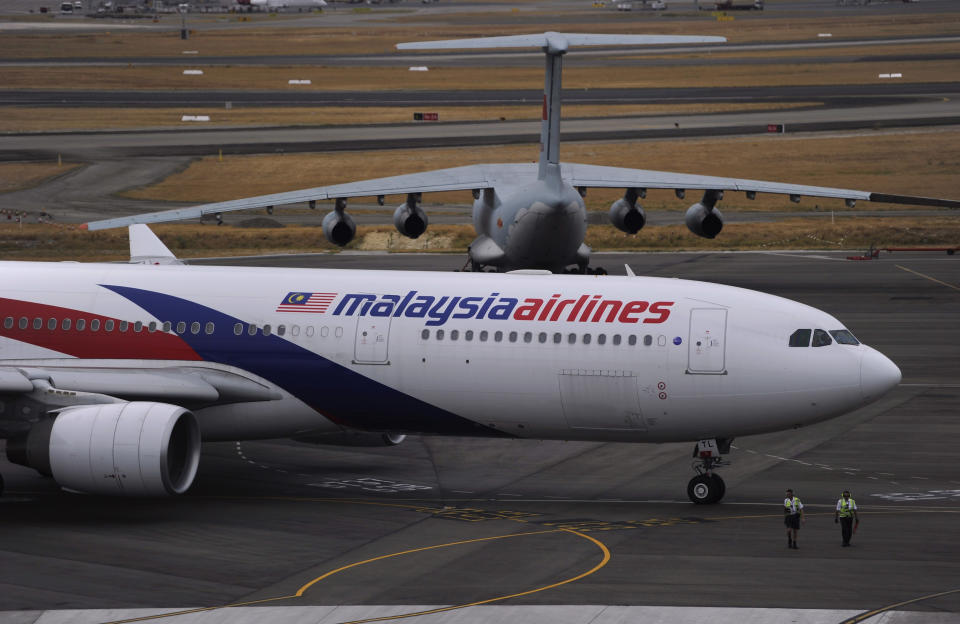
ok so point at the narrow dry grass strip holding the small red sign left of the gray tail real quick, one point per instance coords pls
(25, 119)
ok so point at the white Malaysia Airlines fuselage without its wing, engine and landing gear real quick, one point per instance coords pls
(536, 356)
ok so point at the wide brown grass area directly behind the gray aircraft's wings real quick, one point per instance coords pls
(916, 162)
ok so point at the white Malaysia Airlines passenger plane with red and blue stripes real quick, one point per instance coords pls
(111, 376)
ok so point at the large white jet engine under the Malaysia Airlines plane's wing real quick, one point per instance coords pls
(115, 449)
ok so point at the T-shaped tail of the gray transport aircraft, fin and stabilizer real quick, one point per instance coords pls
(554, 46)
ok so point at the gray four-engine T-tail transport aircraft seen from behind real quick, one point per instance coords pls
(531, 216)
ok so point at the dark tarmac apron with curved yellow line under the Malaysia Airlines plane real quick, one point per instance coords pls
(547, 531)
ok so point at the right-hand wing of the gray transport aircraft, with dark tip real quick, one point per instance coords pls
(596, 176)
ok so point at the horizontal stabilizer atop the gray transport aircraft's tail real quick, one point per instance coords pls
(548, 39)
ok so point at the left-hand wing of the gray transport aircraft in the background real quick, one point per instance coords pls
(469, 177)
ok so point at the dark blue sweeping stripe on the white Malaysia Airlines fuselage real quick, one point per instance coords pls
(341, 394)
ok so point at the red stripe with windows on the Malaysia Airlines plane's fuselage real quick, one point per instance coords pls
(85, 343)
